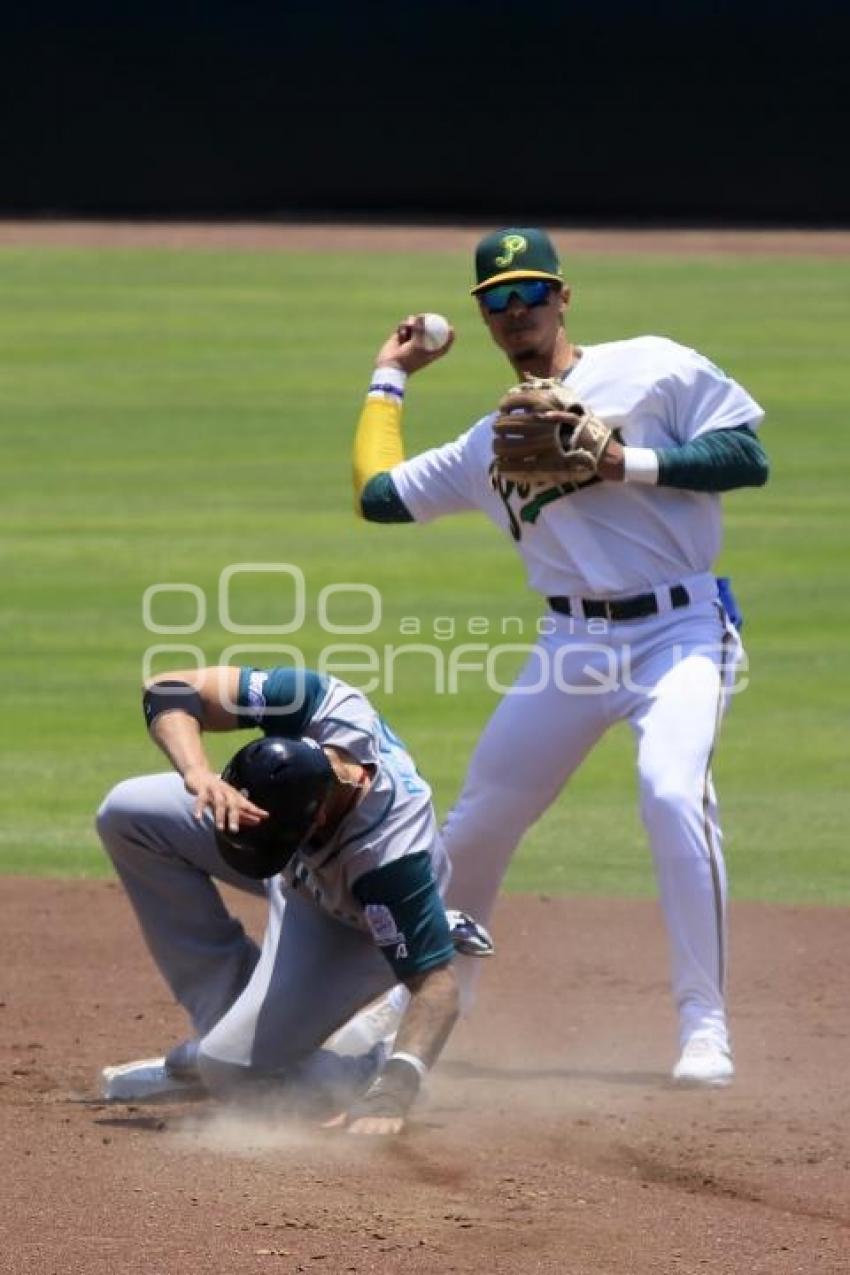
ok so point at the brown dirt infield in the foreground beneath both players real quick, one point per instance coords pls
(551, 1140)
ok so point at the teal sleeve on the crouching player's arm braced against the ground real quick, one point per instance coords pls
(406, 915)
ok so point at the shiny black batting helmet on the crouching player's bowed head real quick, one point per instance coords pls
(290, 778)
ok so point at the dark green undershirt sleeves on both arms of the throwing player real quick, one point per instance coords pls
(721, 461)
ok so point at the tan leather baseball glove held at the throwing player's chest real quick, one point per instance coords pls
(533, 446)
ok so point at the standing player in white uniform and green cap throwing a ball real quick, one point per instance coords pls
(637, 625)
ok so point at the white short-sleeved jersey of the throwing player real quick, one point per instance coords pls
(607, 540)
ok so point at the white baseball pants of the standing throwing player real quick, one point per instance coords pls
(670, 676)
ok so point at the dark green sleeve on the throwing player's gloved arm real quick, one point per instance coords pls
(721, 461)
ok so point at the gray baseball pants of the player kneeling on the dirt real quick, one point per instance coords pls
(258, 1013)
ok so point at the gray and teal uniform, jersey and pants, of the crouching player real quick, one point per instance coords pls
(347, 920)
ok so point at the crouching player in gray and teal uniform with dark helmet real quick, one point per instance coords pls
(327, 817)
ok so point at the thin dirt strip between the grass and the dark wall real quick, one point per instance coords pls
(361, 238)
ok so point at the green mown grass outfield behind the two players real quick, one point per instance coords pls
(165, 415)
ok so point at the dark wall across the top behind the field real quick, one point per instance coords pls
(684, 112)
